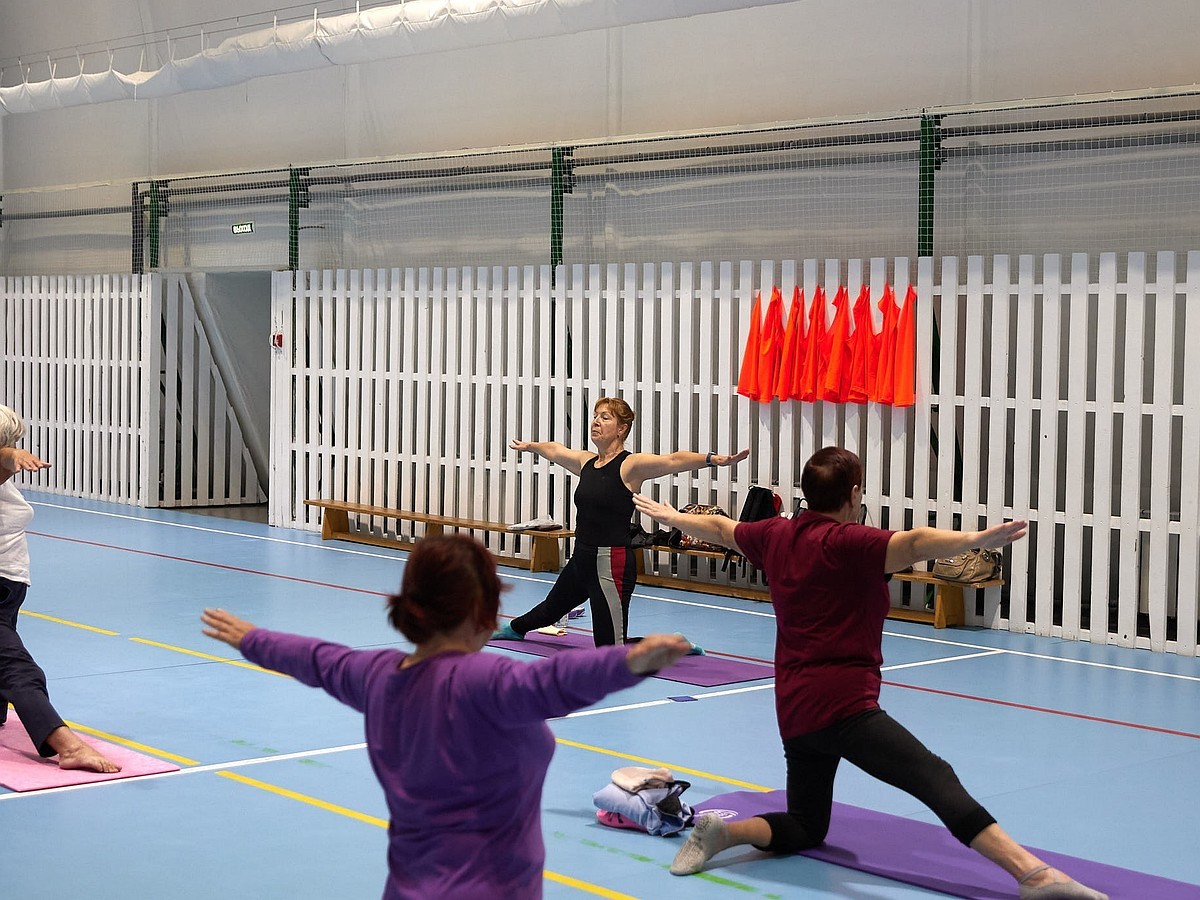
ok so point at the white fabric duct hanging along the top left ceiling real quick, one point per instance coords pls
(383, 33)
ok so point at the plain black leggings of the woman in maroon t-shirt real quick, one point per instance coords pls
(881, 747)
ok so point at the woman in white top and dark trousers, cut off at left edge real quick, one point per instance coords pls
(22, 681)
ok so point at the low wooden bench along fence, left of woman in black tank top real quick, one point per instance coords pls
(545, 554)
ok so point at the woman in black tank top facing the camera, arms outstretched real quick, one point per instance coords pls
(603, 568)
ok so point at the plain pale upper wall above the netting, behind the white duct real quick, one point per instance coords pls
(800, 61)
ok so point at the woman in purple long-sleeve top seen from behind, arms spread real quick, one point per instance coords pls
(457, 737)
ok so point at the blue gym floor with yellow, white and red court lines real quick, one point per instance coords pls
(1093, 752)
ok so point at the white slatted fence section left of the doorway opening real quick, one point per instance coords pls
(116, 381)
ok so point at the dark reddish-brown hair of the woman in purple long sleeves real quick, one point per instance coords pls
(448, 580)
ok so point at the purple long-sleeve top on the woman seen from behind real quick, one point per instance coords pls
(460, 746)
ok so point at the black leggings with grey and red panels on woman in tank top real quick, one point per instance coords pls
(605, 577)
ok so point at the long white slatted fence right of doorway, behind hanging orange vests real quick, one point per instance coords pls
(1066, 395)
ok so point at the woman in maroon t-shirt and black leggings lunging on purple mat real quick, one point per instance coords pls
(829, 585)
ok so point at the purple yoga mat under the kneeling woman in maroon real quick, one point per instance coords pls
(927, 856)
